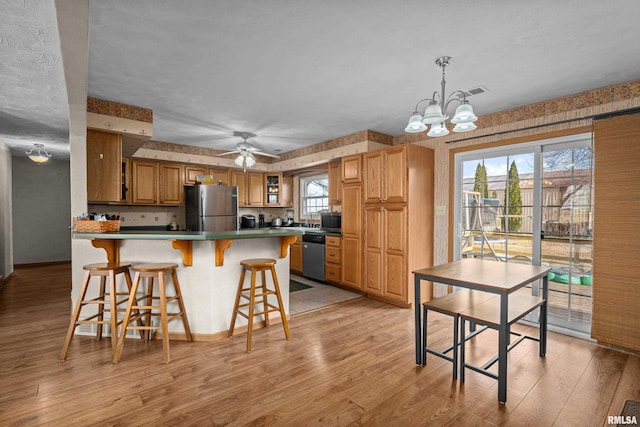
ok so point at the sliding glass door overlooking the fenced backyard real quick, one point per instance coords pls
(532, 203)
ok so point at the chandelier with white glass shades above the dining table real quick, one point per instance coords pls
(435, 113)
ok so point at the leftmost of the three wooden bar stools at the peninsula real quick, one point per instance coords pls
(105, 297)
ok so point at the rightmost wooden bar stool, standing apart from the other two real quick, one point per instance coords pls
(254, 266)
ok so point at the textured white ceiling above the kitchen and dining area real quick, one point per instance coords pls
(302, 72)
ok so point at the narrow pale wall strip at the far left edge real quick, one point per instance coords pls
(6, 252)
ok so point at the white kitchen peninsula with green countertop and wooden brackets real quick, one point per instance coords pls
(209, 266)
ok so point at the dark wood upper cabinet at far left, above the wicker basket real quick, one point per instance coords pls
(104, 166)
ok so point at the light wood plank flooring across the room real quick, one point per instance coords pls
(348, 364)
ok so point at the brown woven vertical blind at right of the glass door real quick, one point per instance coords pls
(616, 243)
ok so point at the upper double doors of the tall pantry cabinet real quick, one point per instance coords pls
(386, 175)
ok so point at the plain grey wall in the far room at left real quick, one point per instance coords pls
(41, 211)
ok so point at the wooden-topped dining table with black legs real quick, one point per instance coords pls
(501, 278)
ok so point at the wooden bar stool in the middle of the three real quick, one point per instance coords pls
(143, 306)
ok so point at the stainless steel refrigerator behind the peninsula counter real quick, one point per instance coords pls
(211, 207)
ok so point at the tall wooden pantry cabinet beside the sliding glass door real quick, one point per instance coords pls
(397, 221)
